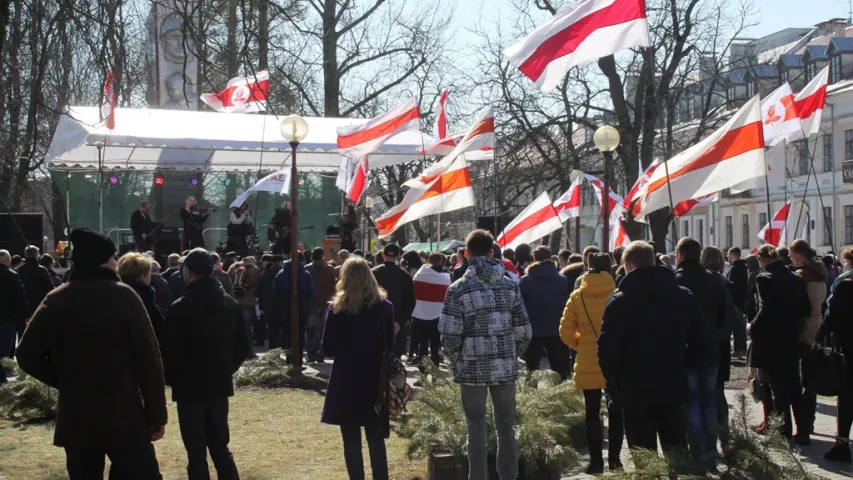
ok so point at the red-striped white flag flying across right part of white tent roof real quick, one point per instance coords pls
(360, 140)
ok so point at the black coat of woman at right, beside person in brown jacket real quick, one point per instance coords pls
(782, 305)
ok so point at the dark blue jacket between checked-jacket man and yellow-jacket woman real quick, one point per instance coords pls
(545, 292)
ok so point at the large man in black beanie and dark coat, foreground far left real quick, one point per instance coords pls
(92, 340)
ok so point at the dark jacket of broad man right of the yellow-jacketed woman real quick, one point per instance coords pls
(652, 330)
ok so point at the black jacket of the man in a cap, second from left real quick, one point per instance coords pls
(205, 343)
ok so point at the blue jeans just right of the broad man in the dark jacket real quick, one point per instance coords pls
(702, 412)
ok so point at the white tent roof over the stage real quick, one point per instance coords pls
(155, 139)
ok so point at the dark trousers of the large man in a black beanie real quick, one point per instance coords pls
(136, 462)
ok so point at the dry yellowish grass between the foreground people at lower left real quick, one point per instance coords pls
(275, 434)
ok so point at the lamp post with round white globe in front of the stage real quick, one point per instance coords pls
(294, 129)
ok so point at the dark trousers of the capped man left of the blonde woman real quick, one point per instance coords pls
(204, 427)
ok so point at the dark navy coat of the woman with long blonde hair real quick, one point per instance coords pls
(357, 342)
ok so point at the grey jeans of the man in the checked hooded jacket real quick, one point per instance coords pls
(474, 405)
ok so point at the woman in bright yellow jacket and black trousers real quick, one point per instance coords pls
(579, 329)
